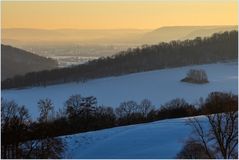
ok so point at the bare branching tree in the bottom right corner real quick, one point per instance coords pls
(221, 139)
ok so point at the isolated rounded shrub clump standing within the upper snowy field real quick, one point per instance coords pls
(196, 76)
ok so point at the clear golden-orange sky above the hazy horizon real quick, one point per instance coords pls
(118, 15)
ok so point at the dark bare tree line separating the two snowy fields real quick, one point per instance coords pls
(24, 138)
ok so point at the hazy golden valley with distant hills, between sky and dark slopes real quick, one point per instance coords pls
(67, 46)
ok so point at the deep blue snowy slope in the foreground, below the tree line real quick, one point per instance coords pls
(160, 139)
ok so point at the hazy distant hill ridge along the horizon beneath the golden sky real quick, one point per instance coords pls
(111, 36)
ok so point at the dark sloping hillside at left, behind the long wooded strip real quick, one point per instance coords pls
(15, 61)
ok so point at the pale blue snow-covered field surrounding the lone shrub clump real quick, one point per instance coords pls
(158, 86)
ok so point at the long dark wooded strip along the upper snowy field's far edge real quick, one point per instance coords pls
(219, 47)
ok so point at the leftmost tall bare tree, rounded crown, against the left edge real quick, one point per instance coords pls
(14, 124)
